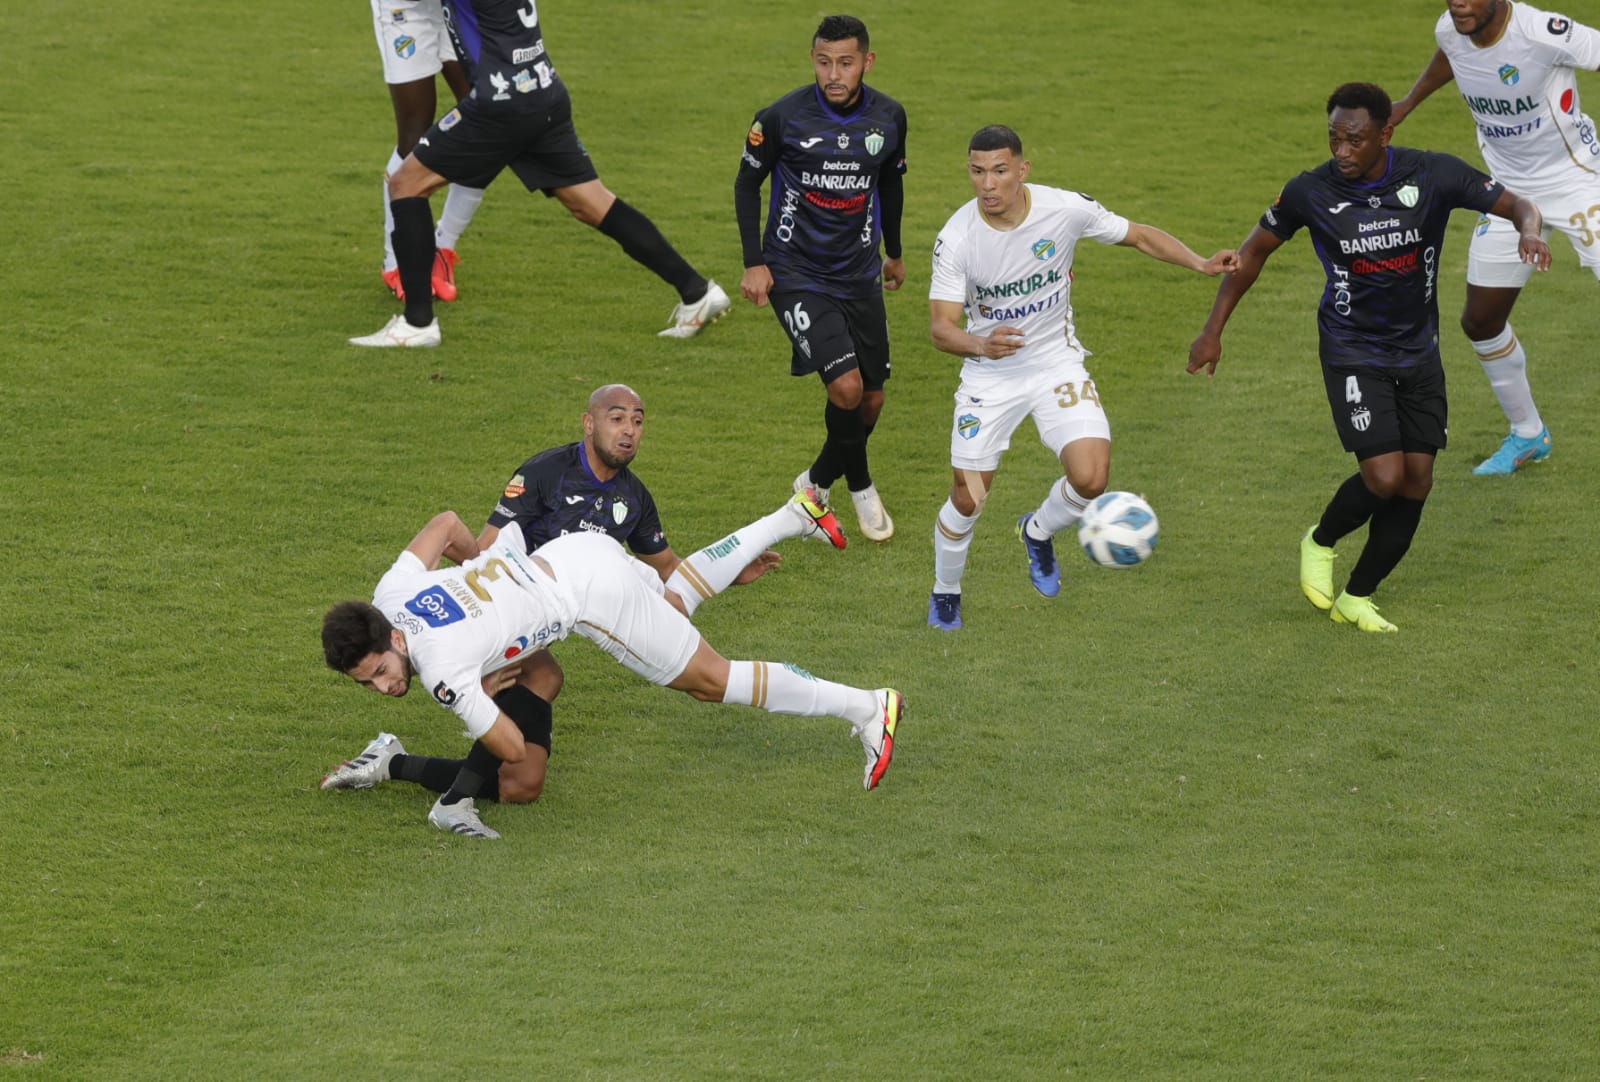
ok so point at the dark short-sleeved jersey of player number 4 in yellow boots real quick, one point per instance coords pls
(1380, 244)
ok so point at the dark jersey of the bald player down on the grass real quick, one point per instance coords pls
(556, 492)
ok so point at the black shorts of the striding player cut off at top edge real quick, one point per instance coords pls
(471, 146)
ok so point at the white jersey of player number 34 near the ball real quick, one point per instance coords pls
(1020, 278)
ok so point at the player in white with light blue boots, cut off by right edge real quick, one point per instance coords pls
(1514, 66)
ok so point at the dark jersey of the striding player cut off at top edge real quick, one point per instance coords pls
(500, 46)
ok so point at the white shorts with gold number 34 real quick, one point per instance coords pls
(1062, 401)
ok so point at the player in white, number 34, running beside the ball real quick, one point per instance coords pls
(1006, 263)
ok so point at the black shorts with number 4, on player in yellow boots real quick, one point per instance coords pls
(1382, 411)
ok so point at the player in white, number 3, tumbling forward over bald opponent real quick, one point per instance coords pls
(463, 631)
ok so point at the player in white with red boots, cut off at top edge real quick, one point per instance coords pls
(415, 47)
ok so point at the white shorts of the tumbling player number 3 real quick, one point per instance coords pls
(622, 607)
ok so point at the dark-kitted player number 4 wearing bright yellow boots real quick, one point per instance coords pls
(1377, 217)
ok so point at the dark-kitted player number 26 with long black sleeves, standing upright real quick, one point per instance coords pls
(836, 151)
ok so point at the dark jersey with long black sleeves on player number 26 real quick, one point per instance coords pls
(836, 191)
